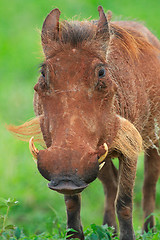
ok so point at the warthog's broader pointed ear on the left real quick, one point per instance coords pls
(50, 29)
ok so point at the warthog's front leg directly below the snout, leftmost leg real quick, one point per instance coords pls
(73, 205)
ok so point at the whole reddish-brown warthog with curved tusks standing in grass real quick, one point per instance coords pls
(98, 97)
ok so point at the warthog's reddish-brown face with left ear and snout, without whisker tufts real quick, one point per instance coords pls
(76, 95)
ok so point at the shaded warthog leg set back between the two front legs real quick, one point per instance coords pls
(109, 178)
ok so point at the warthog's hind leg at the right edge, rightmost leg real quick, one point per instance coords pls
(151, 174)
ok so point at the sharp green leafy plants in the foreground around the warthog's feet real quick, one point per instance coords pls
(55, 228)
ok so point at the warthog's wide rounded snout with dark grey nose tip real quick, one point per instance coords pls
(68, 170)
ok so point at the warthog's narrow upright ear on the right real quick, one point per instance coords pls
(103, 26)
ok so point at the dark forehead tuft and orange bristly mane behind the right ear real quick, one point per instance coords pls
(83, 35)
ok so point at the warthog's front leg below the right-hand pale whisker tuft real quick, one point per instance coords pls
(127, 172)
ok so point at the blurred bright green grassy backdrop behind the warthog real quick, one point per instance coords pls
(20, 55)
